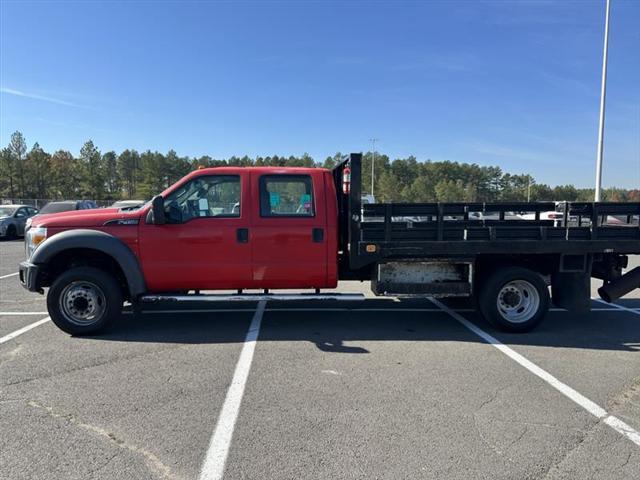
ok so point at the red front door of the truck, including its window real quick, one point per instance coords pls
(205, 242)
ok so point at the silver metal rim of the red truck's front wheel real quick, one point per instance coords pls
(83, 303)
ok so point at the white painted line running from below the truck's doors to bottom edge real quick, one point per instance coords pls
(213, 466)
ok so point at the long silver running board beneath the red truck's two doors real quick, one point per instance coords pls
(251, 297)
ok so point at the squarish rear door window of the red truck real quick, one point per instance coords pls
(286, 196)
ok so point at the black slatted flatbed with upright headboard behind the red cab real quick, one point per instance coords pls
(401, 230)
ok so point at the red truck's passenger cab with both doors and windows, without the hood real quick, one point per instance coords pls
(237, 228)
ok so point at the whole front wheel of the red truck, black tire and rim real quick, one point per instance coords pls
(84, 291)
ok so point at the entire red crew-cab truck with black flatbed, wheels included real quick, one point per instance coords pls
(298, 228)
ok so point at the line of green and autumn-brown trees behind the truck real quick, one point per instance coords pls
(130, 174)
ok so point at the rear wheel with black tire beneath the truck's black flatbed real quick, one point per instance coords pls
(514, 299)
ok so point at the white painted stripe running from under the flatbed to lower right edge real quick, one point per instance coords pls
(590, 406)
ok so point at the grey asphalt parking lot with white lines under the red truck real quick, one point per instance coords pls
(374, 389)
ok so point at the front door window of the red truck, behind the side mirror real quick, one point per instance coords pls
(206, 196)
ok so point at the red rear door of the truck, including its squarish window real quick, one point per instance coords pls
(289, 232)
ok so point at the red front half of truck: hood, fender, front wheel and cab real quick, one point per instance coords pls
(216, 229)
